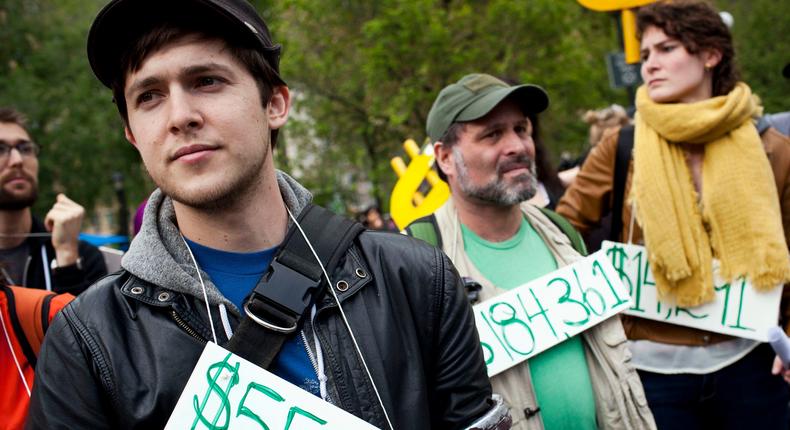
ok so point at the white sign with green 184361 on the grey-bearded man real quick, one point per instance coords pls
(546, 311)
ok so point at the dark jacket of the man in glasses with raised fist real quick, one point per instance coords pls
(69, 279)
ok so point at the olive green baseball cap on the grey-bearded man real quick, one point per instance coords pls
(476, 95)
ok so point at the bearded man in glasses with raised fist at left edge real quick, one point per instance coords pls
(45, 255)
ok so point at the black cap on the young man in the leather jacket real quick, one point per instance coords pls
(121, 22)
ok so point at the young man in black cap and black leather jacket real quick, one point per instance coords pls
(221, 256)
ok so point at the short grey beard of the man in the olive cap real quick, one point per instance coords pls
(499, 192)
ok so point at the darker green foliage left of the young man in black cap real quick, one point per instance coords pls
(45, 74)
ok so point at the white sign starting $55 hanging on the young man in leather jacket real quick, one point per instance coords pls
(226, 391)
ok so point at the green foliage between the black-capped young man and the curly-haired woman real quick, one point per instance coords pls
(370, 72)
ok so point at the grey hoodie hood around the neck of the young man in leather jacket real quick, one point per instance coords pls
(159, 255)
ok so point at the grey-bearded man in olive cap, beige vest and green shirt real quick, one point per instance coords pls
(482, 132)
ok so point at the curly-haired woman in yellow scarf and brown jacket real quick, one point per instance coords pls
(703, 184)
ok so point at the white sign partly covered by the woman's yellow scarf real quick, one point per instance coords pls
(738, 309)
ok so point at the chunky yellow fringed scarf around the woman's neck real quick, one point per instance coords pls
(738, 219)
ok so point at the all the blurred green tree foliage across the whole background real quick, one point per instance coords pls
(364, 75)
